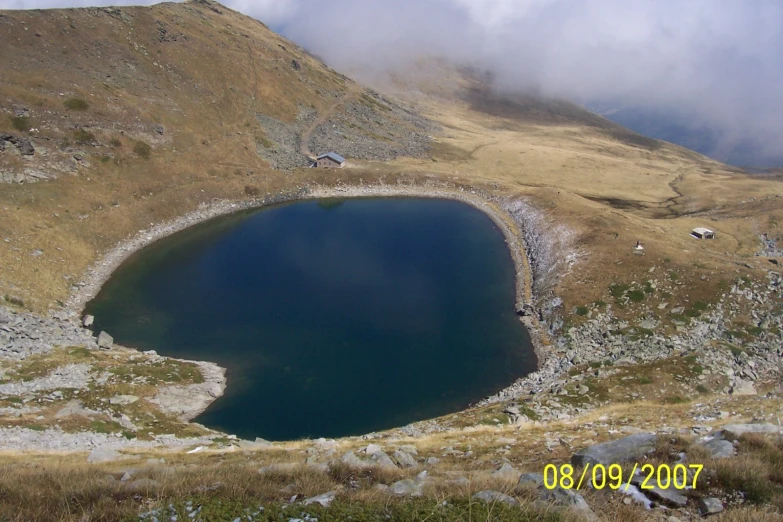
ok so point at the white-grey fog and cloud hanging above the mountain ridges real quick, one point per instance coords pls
(698, 71)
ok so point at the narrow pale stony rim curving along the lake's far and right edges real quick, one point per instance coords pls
(102, 270)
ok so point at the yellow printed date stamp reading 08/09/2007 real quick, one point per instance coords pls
(613, 476)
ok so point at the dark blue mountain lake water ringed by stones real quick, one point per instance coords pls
(333, 317)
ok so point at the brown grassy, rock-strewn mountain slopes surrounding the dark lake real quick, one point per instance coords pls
(115, 121)
